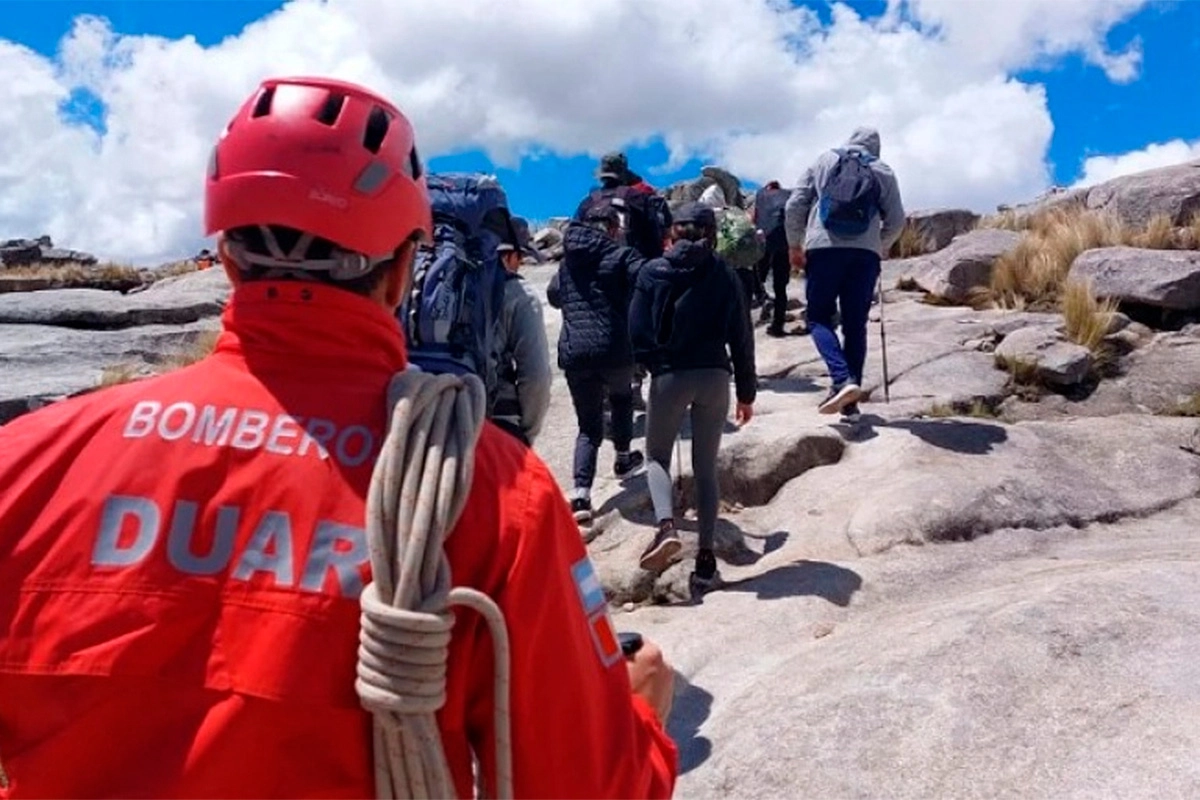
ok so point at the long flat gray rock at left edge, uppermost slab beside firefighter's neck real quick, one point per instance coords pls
(171, 302)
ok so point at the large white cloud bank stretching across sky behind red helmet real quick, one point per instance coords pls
(757, 85)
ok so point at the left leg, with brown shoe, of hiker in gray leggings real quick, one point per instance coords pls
(670, 396)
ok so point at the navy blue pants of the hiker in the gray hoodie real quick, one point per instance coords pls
(842, 278)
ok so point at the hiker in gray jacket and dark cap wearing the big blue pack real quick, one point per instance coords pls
(523, 357)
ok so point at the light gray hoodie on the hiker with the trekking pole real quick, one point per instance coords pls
(803, 222)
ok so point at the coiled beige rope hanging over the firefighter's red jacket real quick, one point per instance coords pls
(418, 492)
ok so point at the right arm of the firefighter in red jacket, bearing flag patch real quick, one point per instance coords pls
(579, 731)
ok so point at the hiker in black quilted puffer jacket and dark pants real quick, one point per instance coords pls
(593, 288)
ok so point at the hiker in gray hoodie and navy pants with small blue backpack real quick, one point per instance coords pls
(844, 215)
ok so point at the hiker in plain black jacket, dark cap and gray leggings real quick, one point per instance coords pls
(688, 322)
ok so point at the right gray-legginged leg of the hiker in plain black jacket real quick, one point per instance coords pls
(709, 412)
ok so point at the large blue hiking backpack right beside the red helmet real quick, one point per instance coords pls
(452, 312)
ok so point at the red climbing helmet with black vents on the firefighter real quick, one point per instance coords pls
(326, 158)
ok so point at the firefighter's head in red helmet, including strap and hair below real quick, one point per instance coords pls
(317, 179)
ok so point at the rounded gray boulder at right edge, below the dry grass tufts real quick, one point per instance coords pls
(1154, 278)
